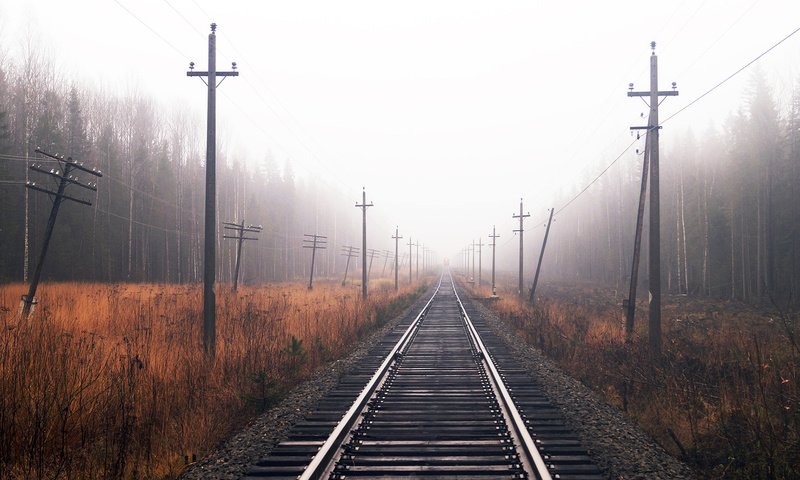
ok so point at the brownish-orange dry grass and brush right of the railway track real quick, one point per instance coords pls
(725, 394)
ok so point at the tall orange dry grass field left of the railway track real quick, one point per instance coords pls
(109, 381)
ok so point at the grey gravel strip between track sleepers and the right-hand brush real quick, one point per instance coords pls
(616, 444)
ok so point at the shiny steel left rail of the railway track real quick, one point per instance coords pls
(325, 458)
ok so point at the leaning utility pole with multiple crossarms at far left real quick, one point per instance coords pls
(64, 176)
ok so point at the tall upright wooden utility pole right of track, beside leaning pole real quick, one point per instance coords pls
(652, 128)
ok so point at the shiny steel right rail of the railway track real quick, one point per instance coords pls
(532, 458)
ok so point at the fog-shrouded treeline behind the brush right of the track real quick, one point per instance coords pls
(730, 210)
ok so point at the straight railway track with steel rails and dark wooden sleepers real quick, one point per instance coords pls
(440, 397)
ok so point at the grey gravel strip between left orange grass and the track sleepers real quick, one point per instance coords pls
(233, 457)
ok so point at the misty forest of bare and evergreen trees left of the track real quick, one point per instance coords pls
(146, 218)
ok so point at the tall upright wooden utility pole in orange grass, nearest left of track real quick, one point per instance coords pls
(209, 247)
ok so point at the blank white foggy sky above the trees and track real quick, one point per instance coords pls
(447, 111)
